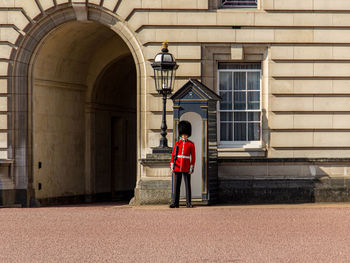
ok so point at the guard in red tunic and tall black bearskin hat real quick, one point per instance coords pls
(182, 163)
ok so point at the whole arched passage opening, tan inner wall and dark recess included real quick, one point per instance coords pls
(84, 91)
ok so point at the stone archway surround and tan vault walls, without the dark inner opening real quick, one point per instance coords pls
(34, 70)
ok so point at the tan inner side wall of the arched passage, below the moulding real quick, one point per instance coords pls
(59, 146)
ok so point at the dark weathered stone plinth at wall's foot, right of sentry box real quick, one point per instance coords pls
(283, 191)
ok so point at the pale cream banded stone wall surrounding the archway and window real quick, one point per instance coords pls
(308, 59)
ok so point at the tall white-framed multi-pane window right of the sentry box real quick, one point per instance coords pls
(240, 107)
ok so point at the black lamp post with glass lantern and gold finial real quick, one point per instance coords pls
(164, 67)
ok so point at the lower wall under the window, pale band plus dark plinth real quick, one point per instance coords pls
(284, 180)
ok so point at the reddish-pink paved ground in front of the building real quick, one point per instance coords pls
(119, 233)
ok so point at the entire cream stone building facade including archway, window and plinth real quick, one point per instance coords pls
(79, 114)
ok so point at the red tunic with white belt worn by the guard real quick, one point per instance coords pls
(186, 156)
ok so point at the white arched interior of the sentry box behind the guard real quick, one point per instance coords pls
(196, 138)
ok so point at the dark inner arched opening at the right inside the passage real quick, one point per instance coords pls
(115, 107)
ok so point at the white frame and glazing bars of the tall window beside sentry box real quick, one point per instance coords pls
(239, 144)
